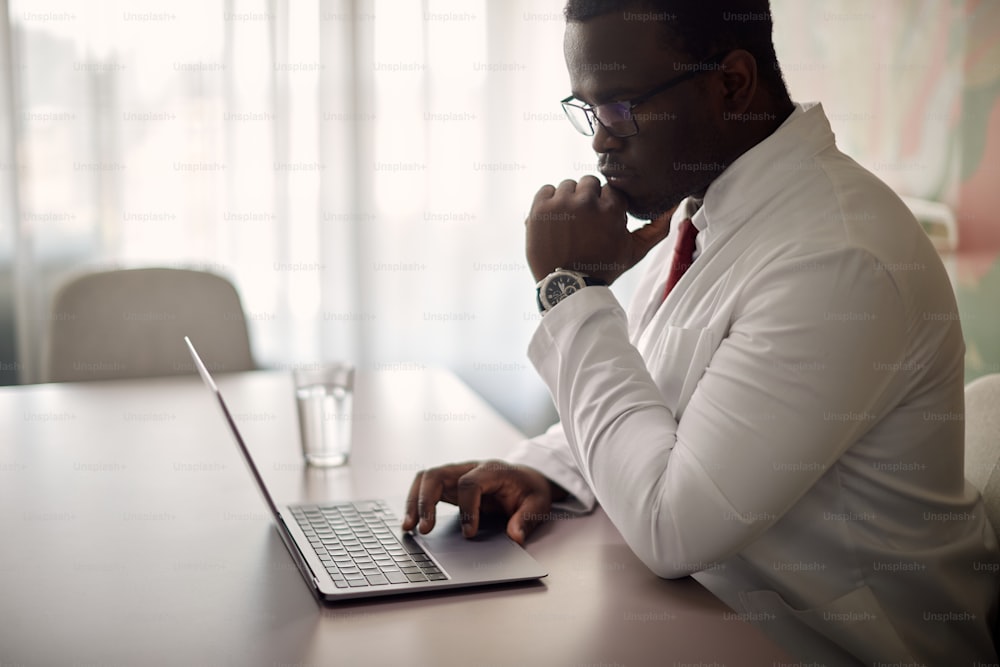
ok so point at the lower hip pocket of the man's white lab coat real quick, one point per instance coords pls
(853, 625)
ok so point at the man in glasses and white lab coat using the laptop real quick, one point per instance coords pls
(782, 421)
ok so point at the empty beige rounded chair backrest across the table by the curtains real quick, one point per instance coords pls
(131, 323)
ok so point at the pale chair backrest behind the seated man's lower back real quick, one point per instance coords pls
(982, 441)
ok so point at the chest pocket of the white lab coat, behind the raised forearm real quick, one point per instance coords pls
(677, 362)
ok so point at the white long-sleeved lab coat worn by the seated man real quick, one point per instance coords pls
(787, 427)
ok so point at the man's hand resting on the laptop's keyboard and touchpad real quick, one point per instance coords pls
(521, 493)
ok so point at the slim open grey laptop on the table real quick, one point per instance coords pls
(355, 549)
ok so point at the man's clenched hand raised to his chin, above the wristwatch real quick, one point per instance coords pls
(582, 226)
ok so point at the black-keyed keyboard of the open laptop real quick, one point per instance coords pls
(358, 546)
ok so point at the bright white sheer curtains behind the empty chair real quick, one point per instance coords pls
(359, 168)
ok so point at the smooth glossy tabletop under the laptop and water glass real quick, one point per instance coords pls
(133, 535)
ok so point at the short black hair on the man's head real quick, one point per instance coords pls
(702, 28)
